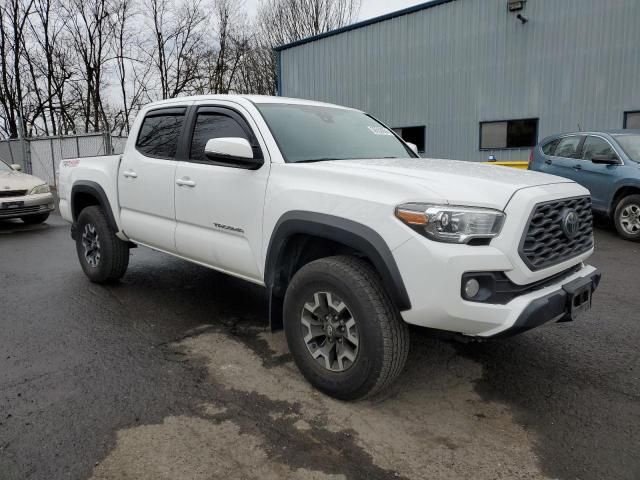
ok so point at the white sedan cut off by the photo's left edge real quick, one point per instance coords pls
(23, 196)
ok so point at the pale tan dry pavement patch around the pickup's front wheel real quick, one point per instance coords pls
(267, 422)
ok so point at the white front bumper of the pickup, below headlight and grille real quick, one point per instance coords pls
(433, 278)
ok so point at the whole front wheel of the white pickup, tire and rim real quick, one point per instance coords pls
(343, 331)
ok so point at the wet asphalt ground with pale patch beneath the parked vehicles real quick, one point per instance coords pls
(172, 374)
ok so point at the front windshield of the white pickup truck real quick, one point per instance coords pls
(311, 133)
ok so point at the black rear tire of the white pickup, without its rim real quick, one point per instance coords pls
(114, 253)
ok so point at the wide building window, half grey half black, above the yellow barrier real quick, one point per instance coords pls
(509, 134)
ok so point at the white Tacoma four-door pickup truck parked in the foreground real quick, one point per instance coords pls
(352, 233)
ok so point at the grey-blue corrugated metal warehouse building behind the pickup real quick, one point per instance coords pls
(466, 79)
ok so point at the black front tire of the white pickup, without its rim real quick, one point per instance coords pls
(384, 336)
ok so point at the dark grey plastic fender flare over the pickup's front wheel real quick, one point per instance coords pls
(347, 232)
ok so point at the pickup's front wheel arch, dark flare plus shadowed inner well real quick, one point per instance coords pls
(329, 235)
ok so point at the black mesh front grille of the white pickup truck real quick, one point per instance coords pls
(546, 242)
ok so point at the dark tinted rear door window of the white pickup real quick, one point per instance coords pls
(159, 135)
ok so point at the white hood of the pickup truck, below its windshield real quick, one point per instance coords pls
(456, 182)
